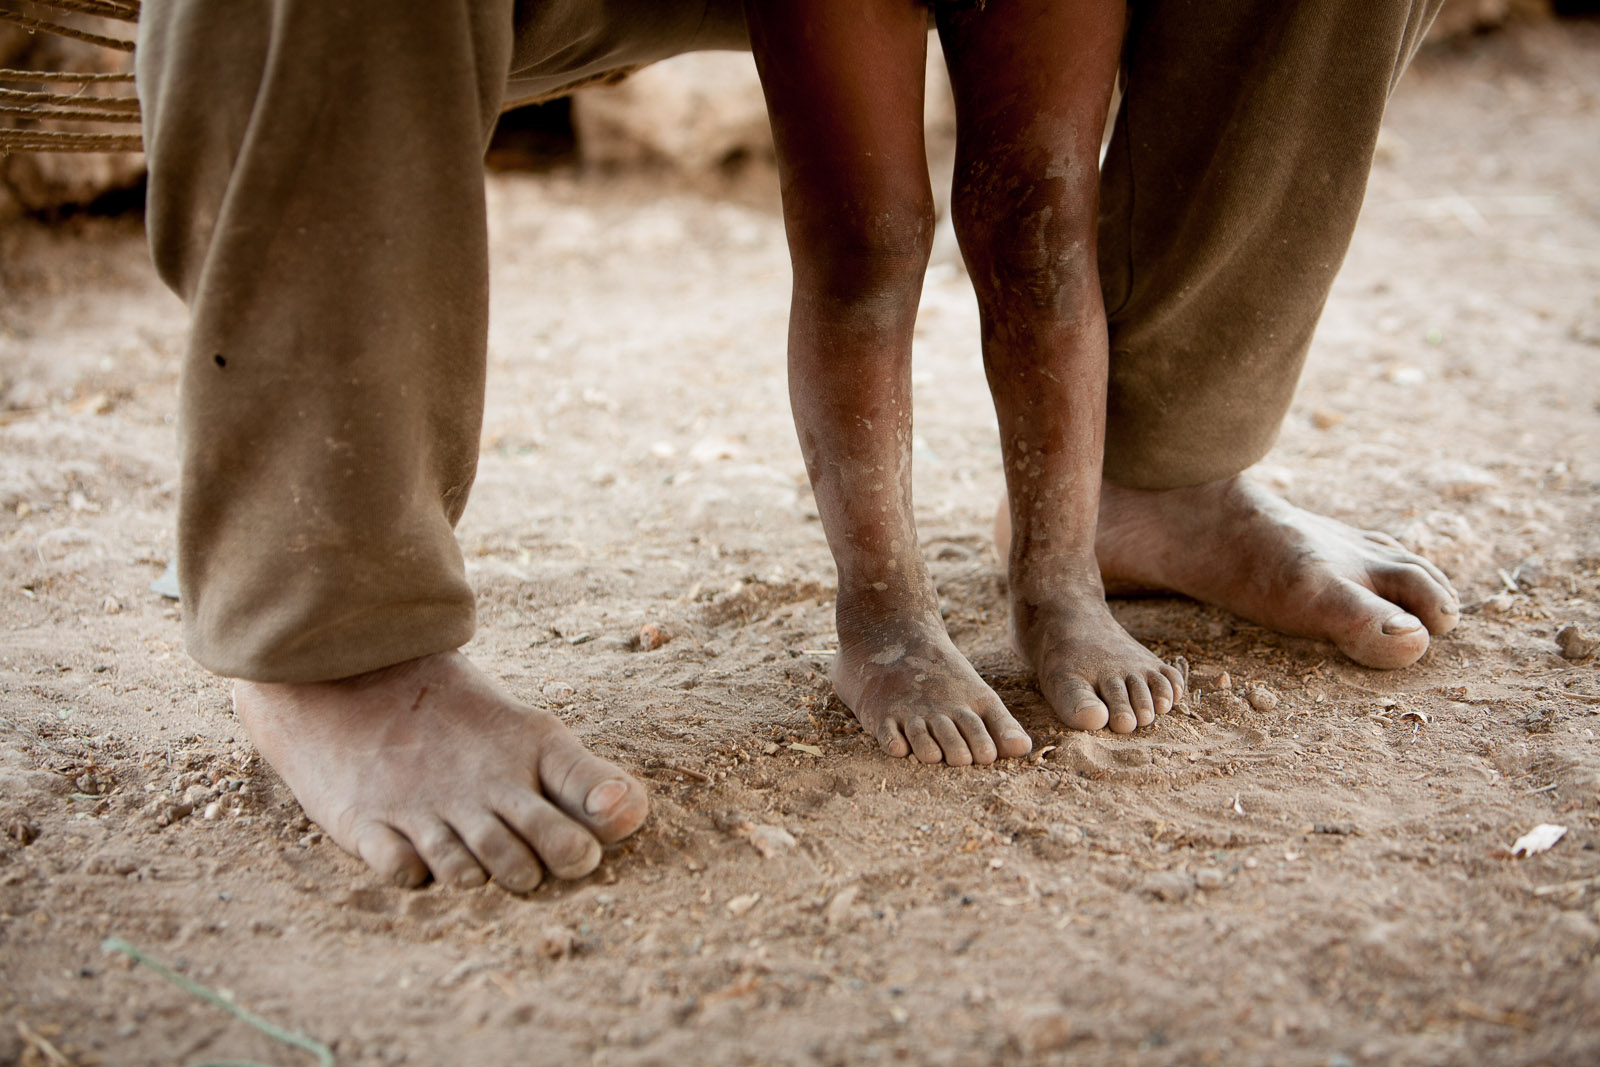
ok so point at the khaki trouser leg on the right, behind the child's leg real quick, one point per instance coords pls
(1228, 202)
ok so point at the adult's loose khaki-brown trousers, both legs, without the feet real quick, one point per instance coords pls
(318, 201)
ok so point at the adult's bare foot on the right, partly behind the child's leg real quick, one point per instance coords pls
(1234, 545)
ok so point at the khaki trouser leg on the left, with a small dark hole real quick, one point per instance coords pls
(318, 201)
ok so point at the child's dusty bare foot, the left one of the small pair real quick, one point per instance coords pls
(918, 695)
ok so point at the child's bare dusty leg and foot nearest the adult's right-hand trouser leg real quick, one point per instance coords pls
(1033, 82)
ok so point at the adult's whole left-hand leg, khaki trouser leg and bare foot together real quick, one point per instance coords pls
(316, 198)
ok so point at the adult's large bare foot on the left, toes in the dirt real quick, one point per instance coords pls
(430, 769)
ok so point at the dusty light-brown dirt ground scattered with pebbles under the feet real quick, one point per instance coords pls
(1318, 881)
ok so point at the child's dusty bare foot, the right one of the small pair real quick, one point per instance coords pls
(1089, 668)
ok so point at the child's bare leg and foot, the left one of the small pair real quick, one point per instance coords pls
(844, 87)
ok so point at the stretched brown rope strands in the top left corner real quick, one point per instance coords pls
(65, 111)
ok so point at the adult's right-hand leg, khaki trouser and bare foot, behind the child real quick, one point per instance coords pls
(1228, 201)
